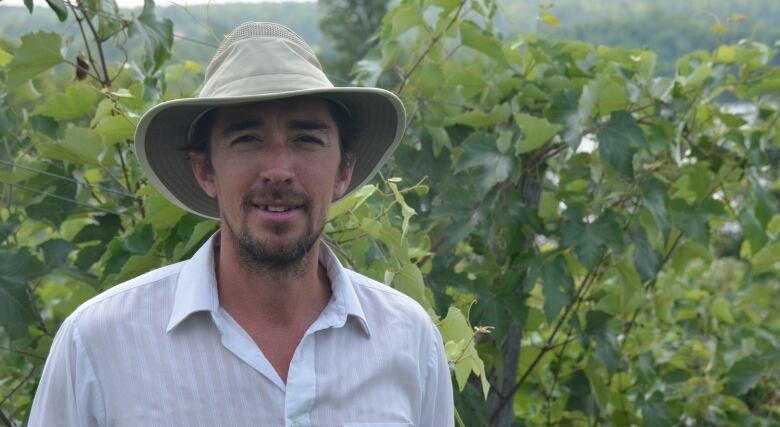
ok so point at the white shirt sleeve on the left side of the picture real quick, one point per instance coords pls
(69, 393)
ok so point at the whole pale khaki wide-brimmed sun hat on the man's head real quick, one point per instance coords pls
(261, 61)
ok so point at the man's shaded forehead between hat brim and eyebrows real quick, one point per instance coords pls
(289, 109)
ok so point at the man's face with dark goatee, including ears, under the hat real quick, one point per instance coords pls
(274, 171)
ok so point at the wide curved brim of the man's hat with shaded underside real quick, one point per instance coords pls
(162, 133)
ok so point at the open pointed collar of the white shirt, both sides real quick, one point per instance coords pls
(196, 288)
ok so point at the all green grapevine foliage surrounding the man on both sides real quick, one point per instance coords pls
(611, 228)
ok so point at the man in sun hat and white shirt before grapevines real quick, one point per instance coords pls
(262, 326)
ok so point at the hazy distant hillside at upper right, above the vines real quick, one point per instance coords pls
(669, 27)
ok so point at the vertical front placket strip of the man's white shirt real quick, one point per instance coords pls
(301, 384)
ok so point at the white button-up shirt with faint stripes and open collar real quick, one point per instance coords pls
(159, 350)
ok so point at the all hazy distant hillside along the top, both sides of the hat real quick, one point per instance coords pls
(670, 27)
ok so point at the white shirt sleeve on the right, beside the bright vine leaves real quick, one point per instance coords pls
(438, 408)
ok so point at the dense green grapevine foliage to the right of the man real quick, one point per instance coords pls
(626, 190)
